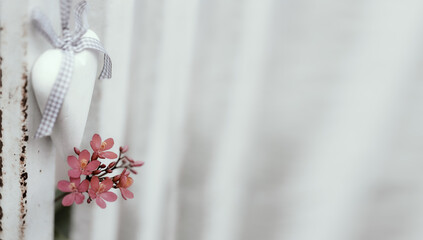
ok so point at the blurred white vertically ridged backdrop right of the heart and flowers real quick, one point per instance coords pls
(263, 119)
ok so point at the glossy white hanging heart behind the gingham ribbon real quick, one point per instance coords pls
(70, 124)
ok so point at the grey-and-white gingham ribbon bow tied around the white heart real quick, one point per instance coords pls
(70, 43)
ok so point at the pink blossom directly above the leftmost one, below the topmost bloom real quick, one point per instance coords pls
(82, 165)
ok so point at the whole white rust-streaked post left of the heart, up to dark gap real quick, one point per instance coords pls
(28, 165)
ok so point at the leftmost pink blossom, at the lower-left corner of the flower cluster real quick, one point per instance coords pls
(75, 189)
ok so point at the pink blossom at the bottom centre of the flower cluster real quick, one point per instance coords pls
(100, 191)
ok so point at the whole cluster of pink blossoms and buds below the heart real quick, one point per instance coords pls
(97, 179)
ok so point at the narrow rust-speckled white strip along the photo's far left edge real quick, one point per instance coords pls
(13, 134)
